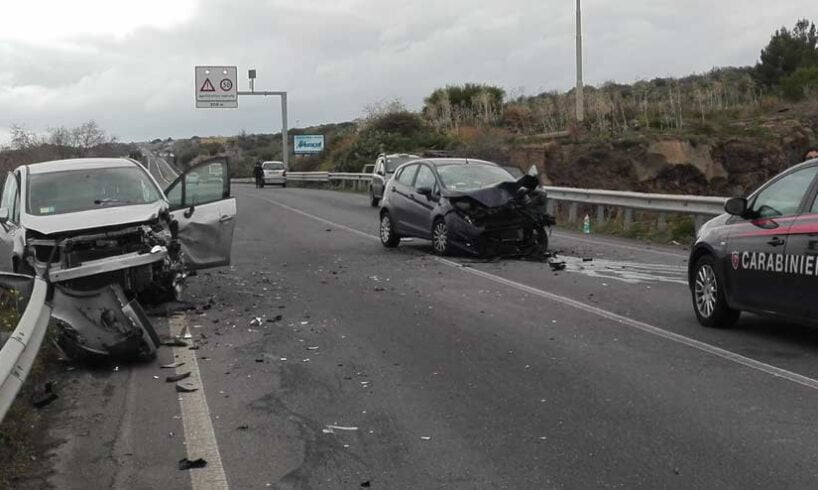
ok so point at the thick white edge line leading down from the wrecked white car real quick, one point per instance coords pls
(200, 437)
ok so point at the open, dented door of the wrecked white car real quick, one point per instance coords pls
(200, 201)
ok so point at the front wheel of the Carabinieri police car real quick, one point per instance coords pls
(709, 301)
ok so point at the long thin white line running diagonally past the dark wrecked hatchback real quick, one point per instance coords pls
(630, 322)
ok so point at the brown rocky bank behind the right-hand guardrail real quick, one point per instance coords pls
(731, 163)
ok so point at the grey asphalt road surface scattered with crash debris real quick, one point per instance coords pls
(443, 373)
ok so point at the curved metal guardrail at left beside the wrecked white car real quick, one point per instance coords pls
(18, 353)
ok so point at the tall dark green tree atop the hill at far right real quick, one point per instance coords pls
(787, 51)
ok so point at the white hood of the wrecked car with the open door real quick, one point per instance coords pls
(94, 218)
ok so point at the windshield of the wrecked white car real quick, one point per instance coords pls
(81, 190)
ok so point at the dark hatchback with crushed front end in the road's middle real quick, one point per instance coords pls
(469, 205)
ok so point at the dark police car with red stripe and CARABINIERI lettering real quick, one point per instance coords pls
(762, 255)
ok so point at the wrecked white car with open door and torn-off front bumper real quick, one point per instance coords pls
(103, 233)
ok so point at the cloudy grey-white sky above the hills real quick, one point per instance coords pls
(129, 64)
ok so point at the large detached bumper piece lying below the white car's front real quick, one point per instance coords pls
(102, 323)
